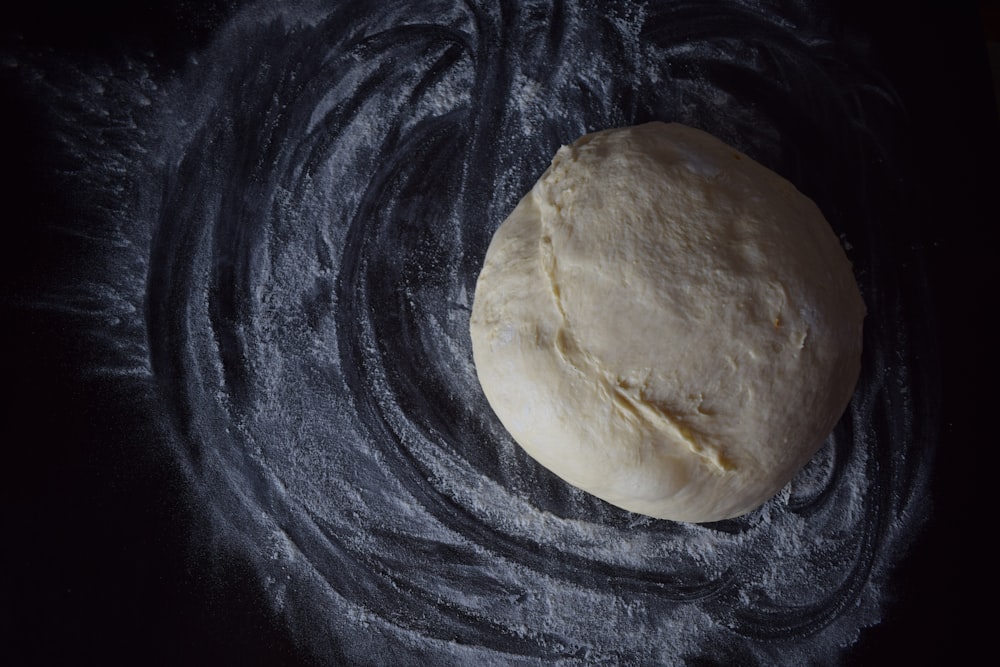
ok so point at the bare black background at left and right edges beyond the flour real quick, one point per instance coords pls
(96, 564)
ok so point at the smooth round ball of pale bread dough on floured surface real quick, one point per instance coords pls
(667, 324)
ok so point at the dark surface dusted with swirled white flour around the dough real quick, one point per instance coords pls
(281, 246)
